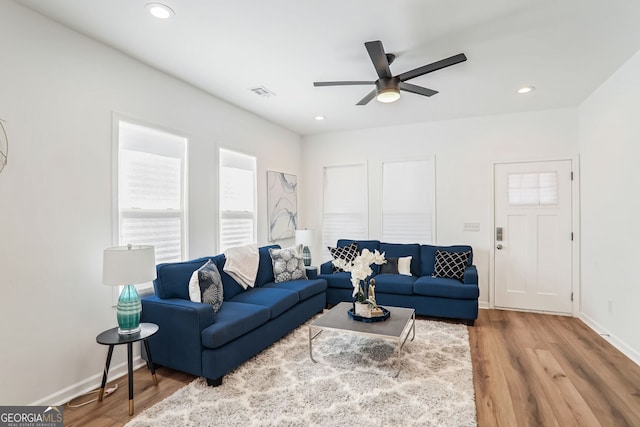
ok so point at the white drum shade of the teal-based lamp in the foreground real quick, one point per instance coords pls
(128, 265)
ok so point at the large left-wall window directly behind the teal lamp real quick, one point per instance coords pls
(151, 190)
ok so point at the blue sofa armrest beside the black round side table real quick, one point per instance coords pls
(178, 343)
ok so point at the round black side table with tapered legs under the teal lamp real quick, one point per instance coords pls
(112, 338)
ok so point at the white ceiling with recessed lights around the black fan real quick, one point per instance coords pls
(564, 48)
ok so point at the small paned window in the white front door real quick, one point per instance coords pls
(533, 189)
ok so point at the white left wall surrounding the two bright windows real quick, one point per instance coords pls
(58, 91)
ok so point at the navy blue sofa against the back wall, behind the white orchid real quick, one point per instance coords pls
(429, 296)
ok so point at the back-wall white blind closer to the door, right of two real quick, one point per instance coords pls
(408, 189)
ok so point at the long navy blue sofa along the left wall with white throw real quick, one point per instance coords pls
(192, 339)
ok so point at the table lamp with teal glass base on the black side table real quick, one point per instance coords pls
(127, 266)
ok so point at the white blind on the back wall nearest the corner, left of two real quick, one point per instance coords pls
(344, 204)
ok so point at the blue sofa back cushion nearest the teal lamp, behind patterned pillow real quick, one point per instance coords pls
(173, 278)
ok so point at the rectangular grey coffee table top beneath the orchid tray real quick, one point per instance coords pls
(338, 319)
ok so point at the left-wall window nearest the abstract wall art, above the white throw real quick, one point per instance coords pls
(237, 199)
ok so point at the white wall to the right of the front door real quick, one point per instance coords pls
(610, 149)
